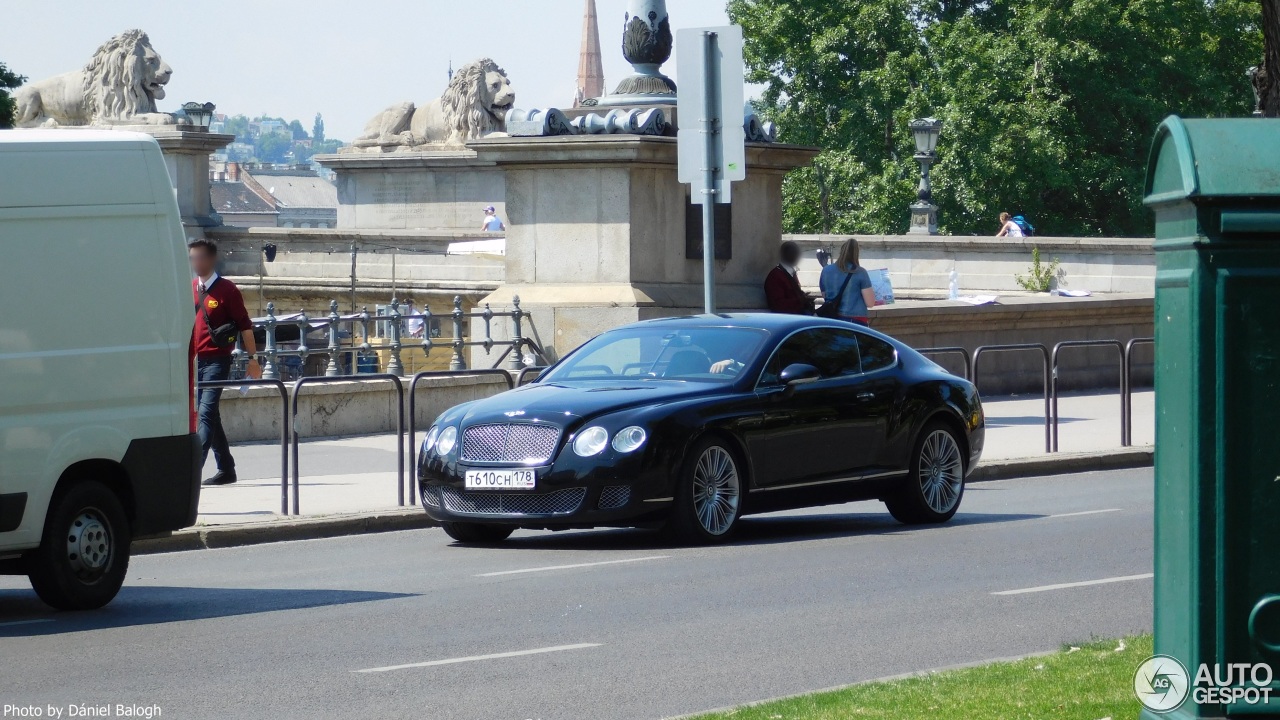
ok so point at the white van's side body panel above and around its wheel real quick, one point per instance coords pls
(95, 348)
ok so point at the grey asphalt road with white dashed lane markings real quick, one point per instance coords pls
(600, 626)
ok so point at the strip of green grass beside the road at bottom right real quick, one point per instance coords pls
(1087, 683)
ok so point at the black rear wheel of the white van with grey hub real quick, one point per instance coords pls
(85, 554)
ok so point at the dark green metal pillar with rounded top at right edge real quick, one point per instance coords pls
(1215, 189)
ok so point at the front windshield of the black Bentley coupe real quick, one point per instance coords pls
(689, 354)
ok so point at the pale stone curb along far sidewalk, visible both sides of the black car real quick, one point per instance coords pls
(209, 537)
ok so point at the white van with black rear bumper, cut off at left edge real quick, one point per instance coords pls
(98, 441)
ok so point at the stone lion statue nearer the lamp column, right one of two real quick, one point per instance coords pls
(474, 106)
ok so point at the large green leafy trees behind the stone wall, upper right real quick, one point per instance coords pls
(1048, 106)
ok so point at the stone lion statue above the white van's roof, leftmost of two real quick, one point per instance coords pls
(120, 86)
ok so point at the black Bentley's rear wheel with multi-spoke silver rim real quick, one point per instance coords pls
(935, 485)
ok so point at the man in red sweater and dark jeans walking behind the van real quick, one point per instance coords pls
(221, 317)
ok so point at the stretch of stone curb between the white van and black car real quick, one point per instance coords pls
(209, 537)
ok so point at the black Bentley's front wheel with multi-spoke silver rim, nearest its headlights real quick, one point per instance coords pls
(710, 495)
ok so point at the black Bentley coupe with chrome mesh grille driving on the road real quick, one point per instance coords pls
(691, 423)
